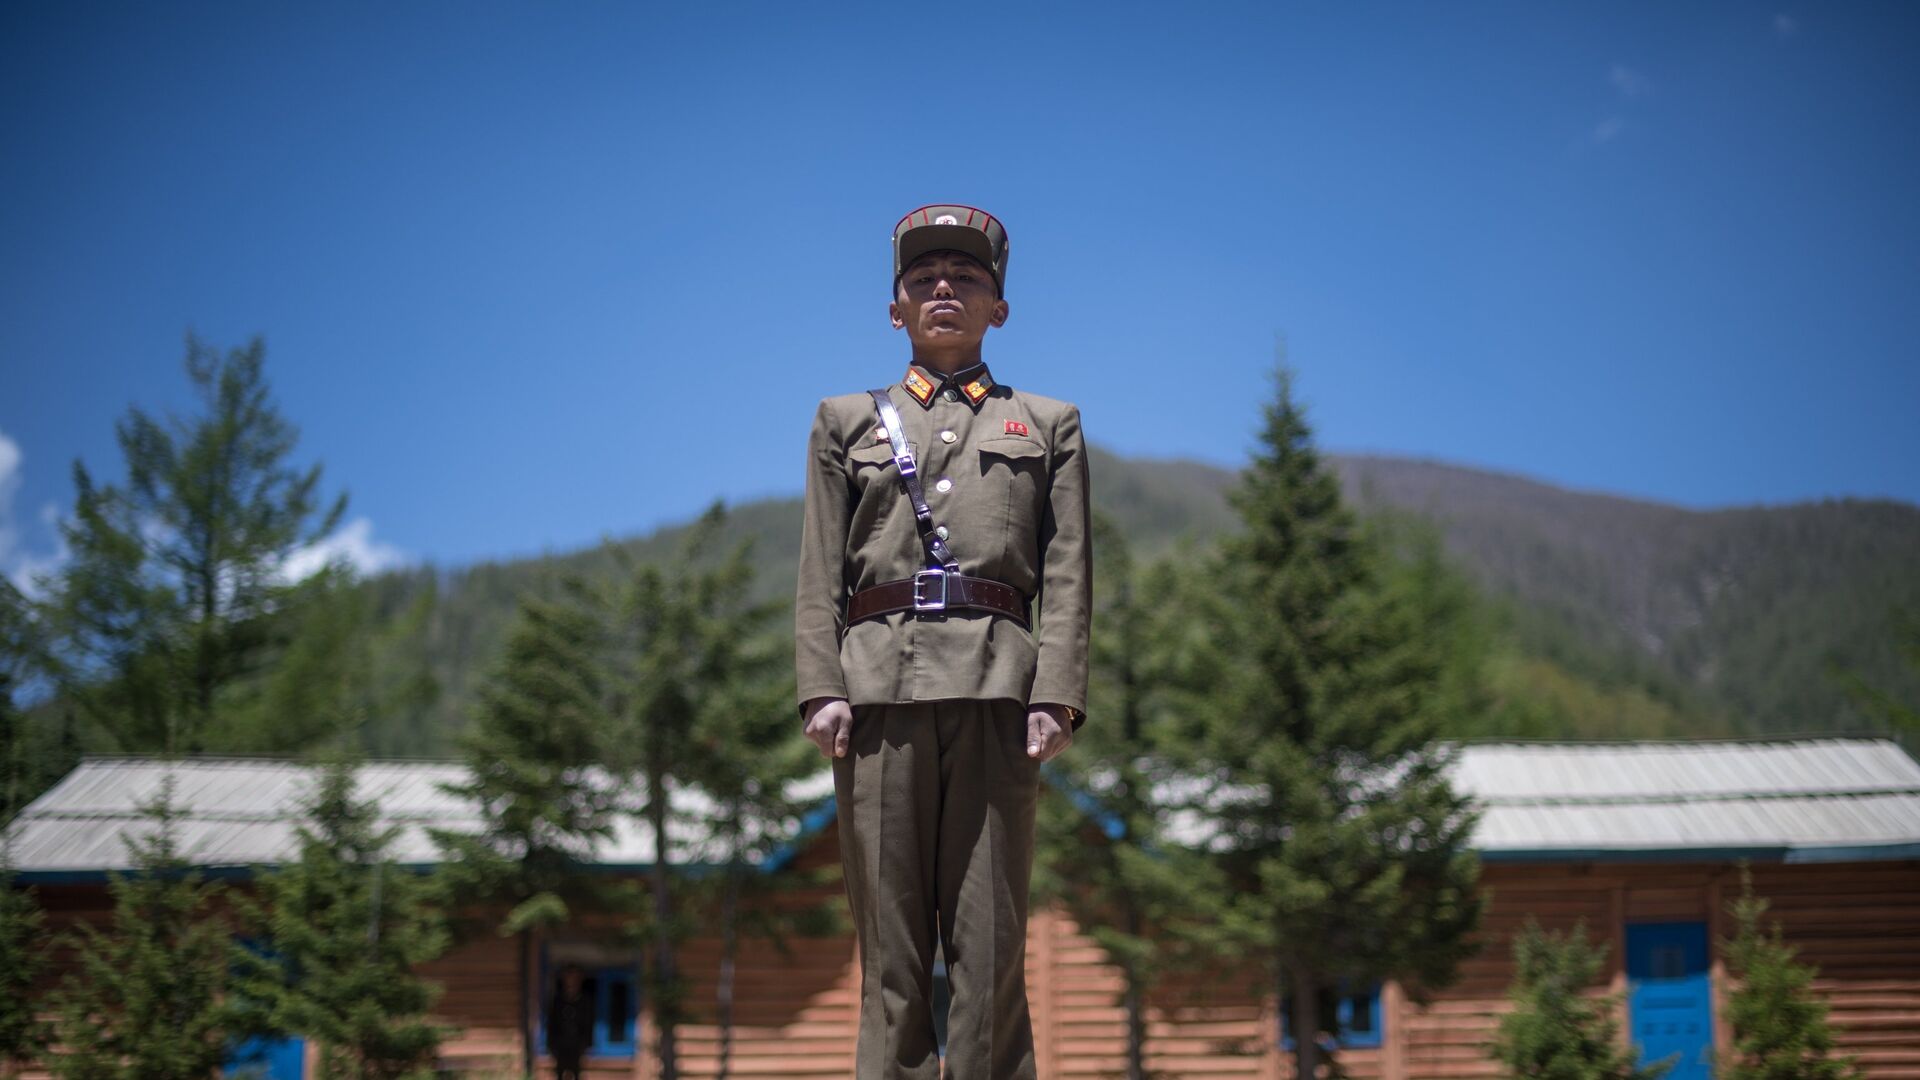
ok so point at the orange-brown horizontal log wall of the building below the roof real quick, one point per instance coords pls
(798, 1010)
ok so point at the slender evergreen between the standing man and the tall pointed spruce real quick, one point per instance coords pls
(1105, 850)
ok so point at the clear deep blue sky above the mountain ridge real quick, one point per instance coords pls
(531, 276)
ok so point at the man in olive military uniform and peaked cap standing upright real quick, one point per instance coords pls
(942, 652)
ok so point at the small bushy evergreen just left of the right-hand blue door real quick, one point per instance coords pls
(1556, 1029)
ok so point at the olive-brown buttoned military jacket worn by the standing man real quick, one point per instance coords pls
(1007, 474)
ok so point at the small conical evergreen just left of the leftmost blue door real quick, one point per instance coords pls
(145, 1002)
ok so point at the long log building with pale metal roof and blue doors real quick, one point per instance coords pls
(1639, 841)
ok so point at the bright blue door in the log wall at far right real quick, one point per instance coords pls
(1669, 996)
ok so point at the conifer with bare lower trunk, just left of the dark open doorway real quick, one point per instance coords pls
(539, 773)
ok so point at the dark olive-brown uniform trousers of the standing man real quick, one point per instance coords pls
(936, 812)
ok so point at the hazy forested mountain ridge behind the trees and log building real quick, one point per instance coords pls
(1618, 618)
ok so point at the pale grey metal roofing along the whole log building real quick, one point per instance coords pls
(1802, 800)
